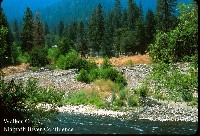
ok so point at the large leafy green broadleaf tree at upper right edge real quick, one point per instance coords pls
(180, 44)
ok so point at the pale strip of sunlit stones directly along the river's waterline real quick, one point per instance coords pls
(161, 112)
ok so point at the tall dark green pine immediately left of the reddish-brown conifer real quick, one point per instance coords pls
(27, 34)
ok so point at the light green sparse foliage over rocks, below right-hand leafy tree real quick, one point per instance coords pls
(171, 83)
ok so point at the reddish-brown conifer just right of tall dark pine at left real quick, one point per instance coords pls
(39, 39)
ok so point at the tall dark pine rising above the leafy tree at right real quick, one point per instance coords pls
(164, 14)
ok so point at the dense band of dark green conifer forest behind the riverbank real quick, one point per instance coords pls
(124, 31)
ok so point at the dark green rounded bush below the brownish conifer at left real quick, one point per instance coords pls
(38, 57)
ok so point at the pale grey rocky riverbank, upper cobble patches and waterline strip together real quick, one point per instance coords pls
(156, 111)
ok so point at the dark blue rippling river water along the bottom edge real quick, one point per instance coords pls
(82, 124)
